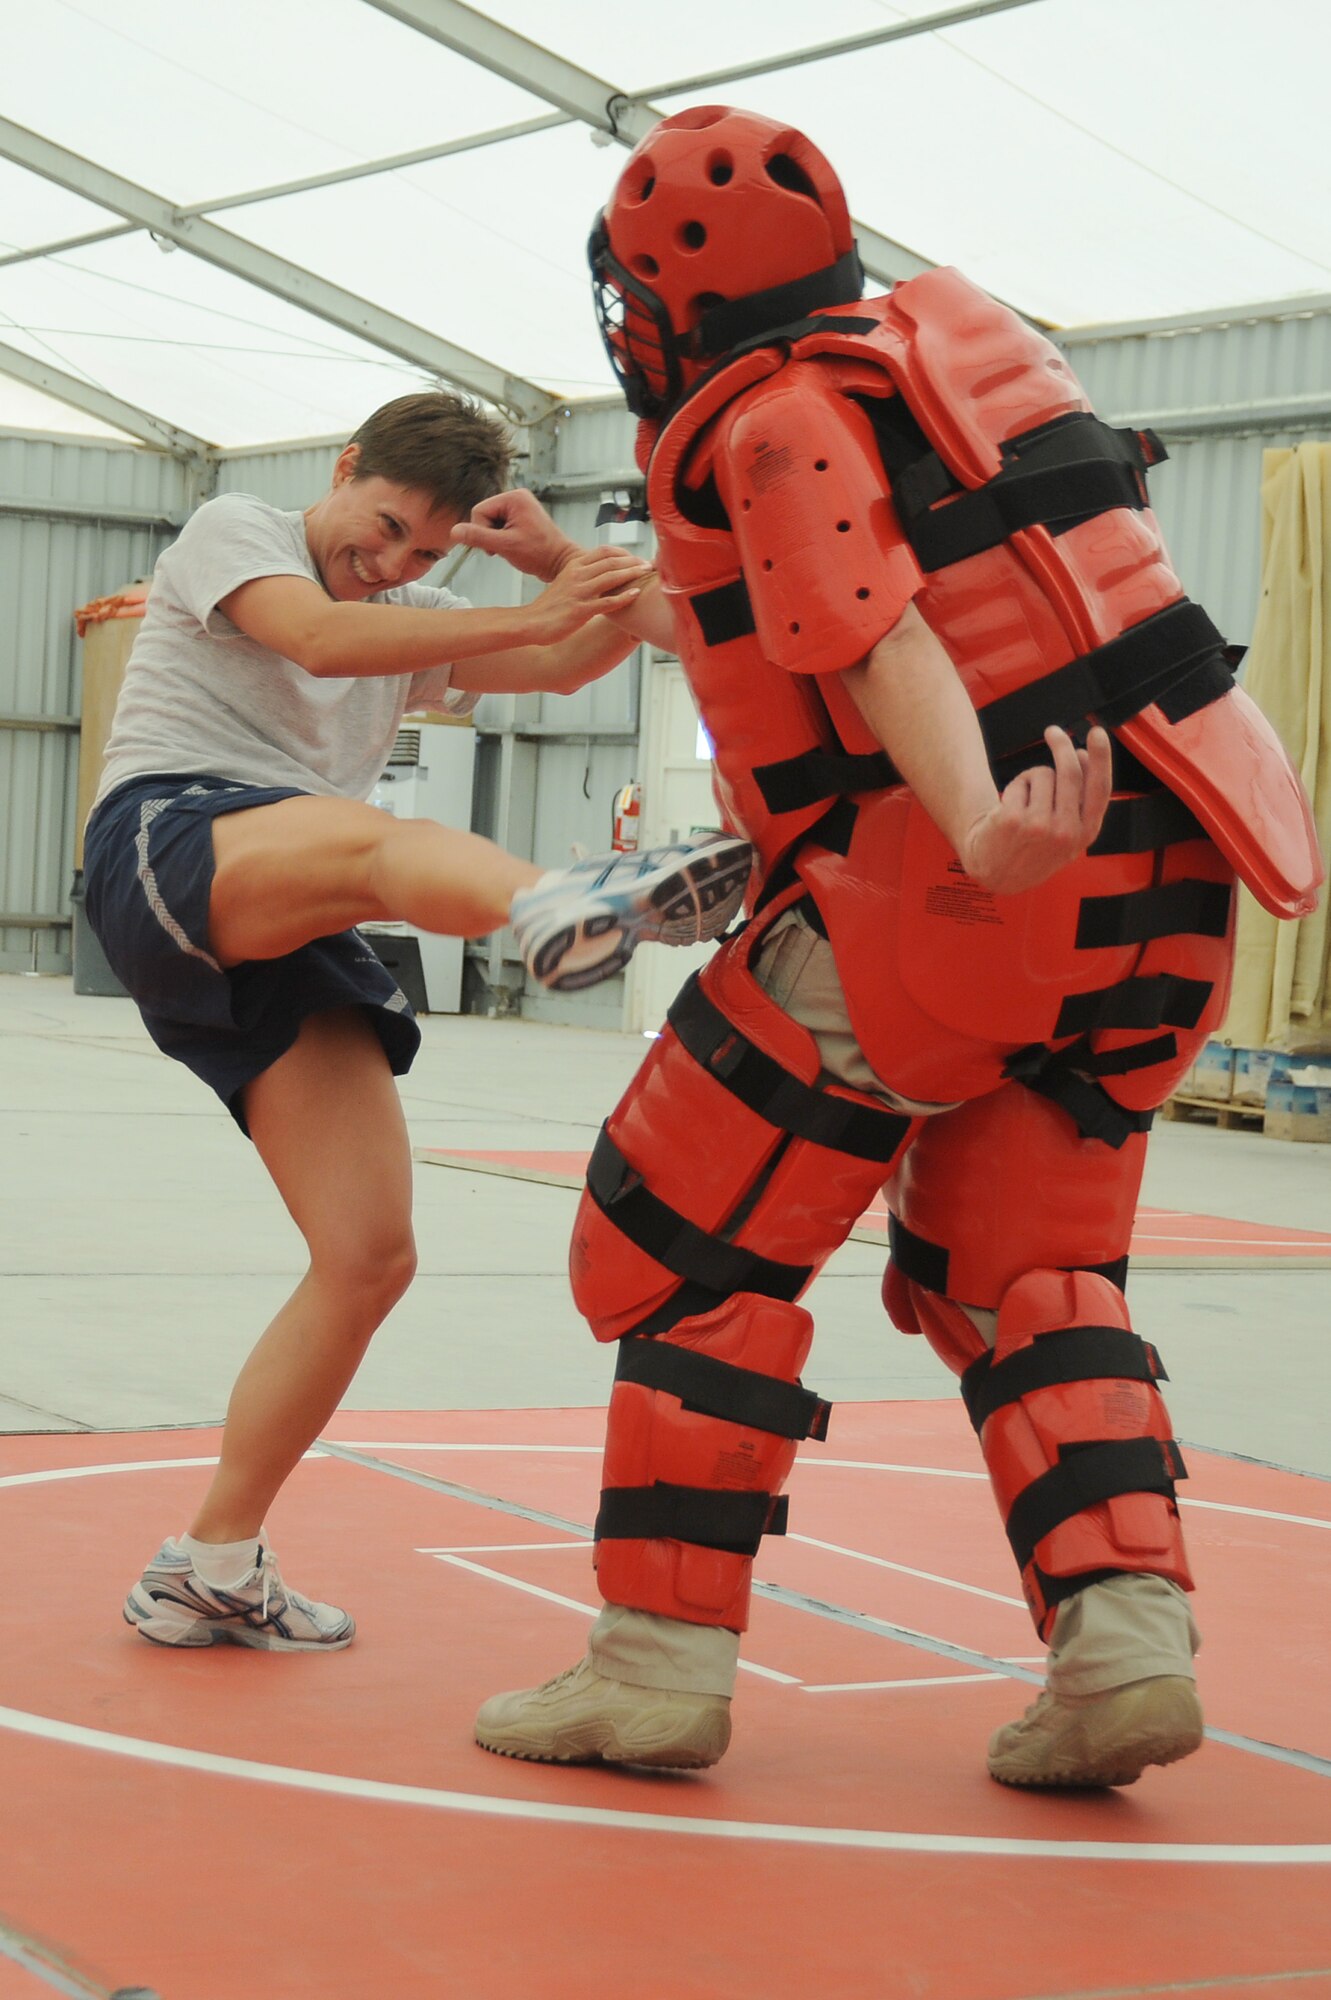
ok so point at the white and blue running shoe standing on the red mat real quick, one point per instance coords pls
(175, 1607)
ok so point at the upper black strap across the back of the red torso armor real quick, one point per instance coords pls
(1056, 475)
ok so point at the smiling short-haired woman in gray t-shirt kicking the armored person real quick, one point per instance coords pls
(231, 853)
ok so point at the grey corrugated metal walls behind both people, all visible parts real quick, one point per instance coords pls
(83, 519)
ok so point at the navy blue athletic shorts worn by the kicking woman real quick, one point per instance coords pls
(147, 881)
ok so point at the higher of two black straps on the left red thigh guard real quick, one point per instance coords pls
(774, 1093)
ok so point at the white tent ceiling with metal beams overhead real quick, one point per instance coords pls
(1088, 161)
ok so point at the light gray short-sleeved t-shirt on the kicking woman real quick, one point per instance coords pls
(201, 697)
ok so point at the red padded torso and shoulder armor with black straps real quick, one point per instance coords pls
(934, 429)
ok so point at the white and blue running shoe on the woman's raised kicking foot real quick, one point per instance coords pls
(581, 925)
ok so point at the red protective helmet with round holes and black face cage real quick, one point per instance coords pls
(722, 227)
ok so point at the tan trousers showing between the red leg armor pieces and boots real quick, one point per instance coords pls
(1126, 1629)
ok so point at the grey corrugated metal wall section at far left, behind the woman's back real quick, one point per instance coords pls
(77, 521)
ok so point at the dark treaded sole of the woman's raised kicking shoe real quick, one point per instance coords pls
(692, 905)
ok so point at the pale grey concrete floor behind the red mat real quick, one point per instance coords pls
(143, 1247)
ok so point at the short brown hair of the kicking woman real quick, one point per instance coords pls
(437, 443)
